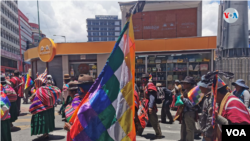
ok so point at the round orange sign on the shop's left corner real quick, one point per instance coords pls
(46, 50)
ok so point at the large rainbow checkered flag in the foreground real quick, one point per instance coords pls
(106, 113)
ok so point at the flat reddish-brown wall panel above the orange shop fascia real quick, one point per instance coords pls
(165, 24)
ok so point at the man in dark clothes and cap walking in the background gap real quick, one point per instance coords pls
(165, 111)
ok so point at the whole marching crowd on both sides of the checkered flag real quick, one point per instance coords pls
(195, 119)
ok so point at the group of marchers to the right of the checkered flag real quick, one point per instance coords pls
(195, 119)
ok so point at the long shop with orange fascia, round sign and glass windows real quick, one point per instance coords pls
(166, 59)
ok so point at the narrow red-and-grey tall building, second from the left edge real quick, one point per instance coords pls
(25, 39)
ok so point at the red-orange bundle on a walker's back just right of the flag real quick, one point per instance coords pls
(143, 113)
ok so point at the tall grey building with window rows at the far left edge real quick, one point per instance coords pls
(10, 58)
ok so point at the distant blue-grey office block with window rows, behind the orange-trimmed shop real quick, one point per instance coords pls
(103, 28)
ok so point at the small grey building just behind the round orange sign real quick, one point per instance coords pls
(35, 34)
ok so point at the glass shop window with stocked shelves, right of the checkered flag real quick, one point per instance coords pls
(165, 68)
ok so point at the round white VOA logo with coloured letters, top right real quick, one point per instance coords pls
(230, 15)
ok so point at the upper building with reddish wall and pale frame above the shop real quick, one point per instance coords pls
(166, 19)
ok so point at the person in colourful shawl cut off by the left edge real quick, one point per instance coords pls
(5, 133)
